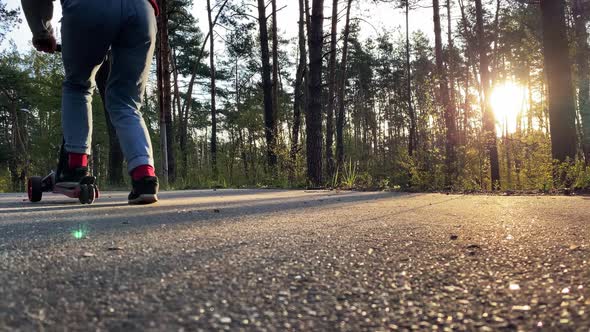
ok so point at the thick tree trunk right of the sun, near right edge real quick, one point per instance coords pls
(562, 112)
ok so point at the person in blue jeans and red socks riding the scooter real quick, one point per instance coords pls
(89, 28)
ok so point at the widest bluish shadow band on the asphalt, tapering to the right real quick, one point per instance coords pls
(198, 215)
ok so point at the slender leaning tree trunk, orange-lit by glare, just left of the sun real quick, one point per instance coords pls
(489, 124)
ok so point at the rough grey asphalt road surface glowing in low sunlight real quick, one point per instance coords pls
(295, 260)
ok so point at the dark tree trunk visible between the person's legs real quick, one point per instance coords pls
(116, 158)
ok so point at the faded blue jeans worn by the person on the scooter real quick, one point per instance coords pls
(89, 28)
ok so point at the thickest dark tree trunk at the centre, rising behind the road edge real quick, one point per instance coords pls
(313, 116)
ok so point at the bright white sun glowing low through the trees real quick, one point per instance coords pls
(508, 101)
